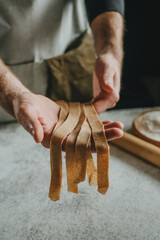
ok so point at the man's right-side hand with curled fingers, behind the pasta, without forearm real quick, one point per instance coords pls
(106, 82)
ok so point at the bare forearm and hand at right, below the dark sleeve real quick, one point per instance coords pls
(107, 31)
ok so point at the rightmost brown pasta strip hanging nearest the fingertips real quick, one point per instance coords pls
(101, 145)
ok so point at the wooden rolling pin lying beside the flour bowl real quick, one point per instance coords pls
(139, 147)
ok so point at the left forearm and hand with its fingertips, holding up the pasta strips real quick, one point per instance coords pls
(36, 113)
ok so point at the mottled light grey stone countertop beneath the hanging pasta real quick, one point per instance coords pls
(129, 211)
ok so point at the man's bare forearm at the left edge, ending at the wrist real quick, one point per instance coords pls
(10, 87)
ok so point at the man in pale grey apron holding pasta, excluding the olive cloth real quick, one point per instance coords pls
(32, 31)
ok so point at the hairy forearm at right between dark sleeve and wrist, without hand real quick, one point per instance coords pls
(107, 29)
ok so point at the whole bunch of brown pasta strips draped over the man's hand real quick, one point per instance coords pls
(78, 122)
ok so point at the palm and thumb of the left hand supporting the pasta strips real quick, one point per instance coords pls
(37, 114)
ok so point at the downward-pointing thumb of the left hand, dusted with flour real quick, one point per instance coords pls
(29, 120)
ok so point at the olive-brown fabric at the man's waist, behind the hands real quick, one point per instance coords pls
(70, 77)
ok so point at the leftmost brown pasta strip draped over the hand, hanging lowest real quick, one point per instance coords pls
(56, 153)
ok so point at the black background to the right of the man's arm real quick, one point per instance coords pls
(142, 55)
